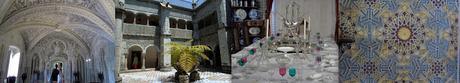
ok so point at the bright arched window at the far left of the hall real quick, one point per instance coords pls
(13, 65)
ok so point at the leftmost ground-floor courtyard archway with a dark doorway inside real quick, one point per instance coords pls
(135, 57)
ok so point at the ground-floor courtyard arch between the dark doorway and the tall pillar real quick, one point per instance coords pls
(151, 56)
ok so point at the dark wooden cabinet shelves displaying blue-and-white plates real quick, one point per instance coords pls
(247, 24)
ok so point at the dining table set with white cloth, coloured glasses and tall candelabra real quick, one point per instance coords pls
(289, 52)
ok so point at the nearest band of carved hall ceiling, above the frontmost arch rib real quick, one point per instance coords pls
(102, 8)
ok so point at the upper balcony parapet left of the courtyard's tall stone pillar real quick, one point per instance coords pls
(138, 30)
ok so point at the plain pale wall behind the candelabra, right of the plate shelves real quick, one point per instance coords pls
(322, 13)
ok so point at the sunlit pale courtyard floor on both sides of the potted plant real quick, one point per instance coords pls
(153, 76)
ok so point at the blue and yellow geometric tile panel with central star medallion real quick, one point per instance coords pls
(402, 41)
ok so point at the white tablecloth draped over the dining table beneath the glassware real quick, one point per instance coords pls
(262, 68)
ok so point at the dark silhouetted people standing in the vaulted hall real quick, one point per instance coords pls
(57, 75)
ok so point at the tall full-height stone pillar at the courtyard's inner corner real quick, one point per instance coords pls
(165, 39)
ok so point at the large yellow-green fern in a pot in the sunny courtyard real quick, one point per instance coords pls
(186, 59)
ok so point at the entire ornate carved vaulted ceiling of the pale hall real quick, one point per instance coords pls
(83, 22)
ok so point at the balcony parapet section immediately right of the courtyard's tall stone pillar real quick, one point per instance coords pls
(181, 33)
